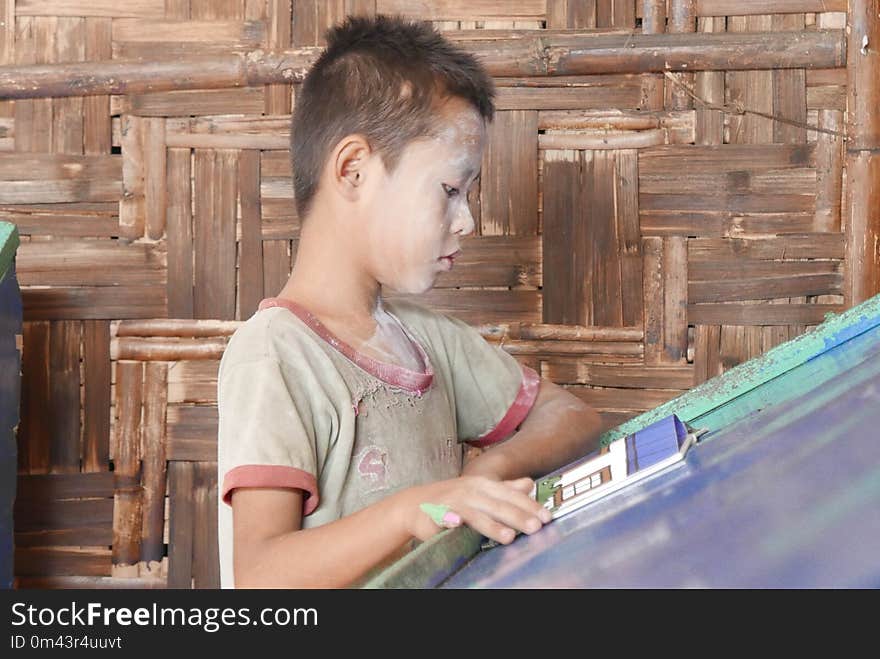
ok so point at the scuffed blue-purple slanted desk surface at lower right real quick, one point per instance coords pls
(786, 496)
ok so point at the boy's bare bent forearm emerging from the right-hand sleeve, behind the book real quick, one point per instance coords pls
(558, 429)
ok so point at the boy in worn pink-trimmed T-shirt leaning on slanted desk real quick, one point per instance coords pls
(340, 413)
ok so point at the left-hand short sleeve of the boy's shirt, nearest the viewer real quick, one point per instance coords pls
(264, 438)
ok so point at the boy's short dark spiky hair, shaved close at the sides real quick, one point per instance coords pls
(356, 86)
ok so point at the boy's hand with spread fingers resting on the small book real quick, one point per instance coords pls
(496, 509)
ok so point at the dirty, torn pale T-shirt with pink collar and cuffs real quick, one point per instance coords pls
(299, 408)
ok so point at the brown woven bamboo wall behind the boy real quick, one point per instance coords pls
(639, 230)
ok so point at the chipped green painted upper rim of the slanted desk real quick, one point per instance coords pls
(713, 394)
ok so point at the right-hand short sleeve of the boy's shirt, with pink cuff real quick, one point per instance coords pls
(493, 392)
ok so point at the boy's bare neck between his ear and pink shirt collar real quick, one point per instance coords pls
(328, 278)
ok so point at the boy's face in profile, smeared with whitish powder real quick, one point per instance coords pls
(417, 215)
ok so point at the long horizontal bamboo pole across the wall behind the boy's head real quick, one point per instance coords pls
(536, 56)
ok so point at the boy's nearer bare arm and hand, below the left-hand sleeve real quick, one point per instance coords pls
(270, 550)
